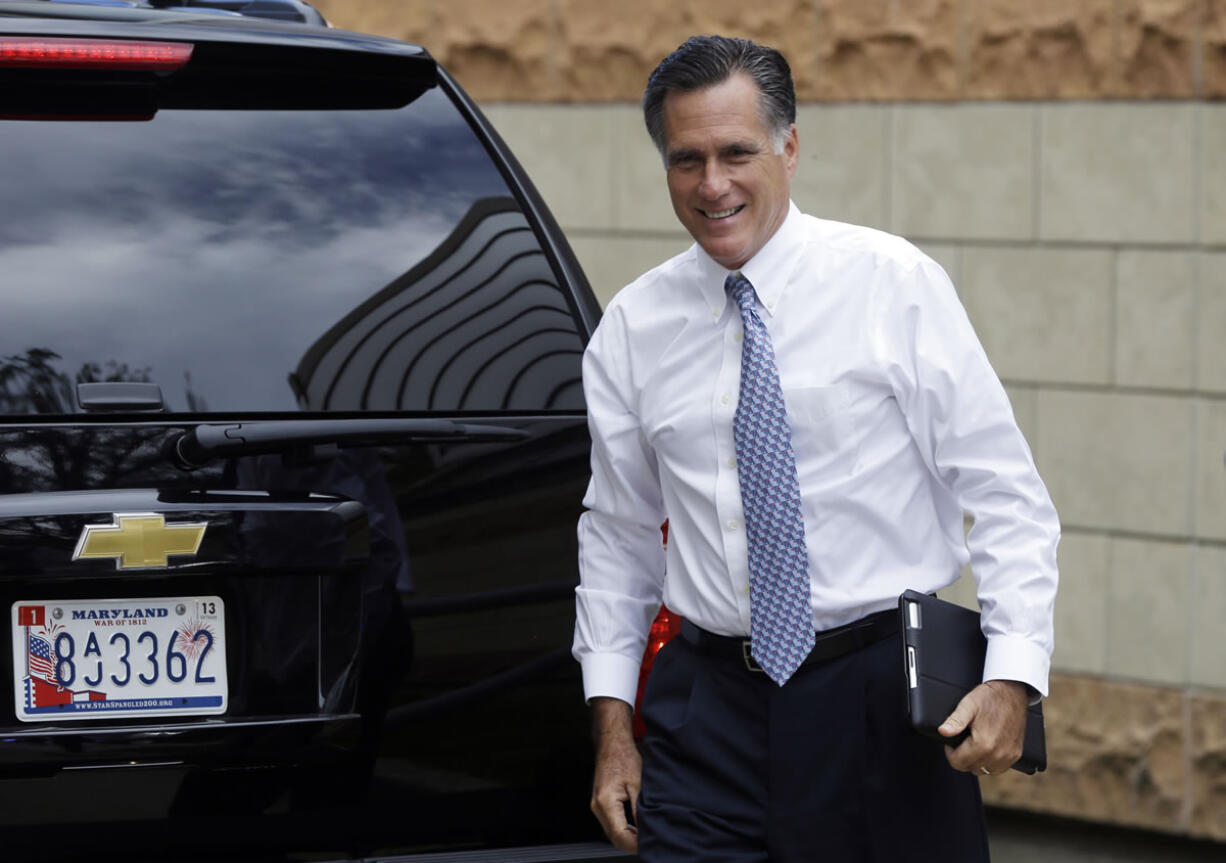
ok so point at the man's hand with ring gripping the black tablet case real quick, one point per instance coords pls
(996, 715)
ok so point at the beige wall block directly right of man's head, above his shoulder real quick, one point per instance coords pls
(842, 175)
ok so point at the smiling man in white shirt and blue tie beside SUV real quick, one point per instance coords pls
(807, 404)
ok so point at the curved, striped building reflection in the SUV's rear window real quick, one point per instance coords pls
(479, 324)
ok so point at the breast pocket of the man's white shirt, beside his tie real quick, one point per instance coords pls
(823, 431)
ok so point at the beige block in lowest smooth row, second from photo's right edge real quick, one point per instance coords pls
(1148, 611)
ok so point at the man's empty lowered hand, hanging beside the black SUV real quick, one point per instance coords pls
(619, 772)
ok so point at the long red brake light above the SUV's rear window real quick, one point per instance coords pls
(63, 53)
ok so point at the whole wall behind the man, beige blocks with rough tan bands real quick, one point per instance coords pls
(1066, 162)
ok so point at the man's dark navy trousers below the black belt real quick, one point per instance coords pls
(826, 768)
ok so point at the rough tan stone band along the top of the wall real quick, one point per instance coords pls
(842, 51)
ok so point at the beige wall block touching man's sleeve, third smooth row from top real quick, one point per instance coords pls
(1117, 462)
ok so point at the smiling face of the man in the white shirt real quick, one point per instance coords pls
(729, 186)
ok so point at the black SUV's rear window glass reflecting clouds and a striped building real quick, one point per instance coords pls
(257, 262)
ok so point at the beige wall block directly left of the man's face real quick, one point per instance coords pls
(641, 189)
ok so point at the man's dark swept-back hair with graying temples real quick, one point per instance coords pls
(707, 61)
